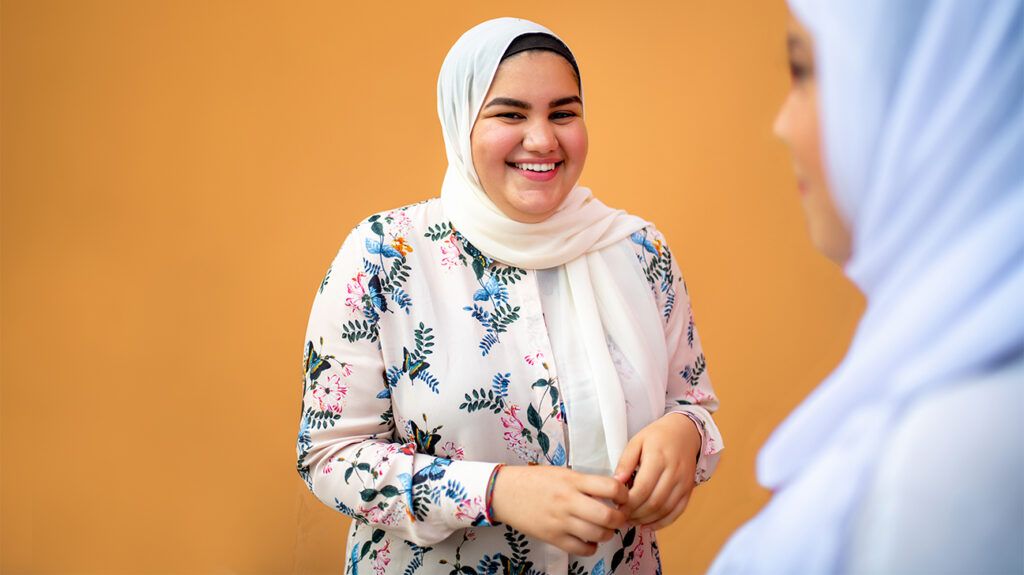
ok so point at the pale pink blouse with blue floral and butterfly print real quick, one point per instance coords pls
(428, 365)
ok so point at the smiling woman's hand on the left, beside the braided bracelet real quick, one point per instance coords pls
(564, 508)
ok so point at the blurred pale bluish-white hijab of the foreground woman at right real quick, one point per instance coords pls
(922, 109)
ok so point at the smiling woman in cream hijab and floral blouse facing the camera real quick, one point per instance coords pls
(545, 405)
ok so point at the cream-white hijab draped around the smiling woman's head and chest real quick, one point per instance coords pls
(574, 238)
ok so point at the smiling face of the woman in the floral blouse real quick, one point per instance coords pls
(530, 142)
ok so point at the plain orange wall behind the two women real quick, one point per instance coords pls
(177, 176)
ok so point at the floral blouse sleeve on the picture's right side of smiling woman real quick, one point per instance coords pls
(690, 390)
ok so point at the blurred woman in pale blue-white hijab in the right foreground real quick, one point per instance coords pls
(907, 125)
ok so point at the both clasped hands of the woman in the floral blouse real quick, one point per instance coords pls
(576, 512)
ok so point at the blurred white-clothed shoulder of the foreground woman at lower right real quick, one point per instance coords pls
(951, 477)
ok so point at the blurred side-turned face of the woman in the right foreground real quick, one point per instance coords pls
(797, 125)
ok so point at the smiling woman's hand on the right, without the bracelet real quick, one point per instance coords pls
(666, 453)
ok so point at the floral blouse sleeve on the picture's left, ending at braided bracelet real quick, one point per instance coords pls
(348, 450)
